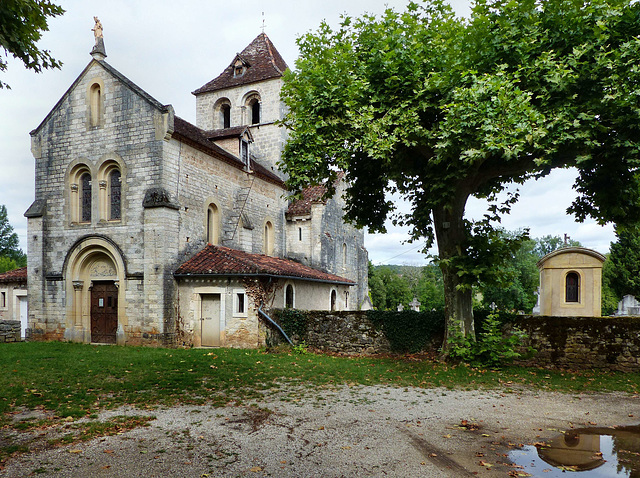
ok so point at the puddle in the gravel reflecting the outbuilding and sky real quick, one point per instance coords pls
(592, 452)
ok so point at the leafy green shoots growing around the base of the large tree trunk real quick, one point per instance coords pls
(493, 348)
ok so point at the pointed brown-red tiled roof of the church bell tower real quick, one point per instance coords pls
(257, 62)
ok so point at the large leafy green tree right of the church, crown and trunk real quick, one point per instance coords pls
(440, 108)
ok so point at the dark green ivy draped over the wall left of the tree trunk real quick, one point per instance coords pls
(409, 331)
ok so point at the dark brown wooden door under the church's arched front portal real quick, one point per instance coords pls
(104, 312)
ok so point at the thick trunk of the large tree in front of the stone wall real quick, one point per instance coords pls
(451, 238)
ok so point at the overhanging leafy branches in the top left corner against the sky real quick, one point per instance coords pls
(21, 25)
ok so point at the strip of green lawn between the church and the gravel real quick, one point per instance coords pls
(76, 380)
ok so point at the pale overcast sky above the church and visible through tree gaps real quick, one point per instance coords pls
(171, 48)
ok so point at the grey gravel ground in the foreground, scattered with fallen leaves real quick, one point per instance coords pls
(342, 432)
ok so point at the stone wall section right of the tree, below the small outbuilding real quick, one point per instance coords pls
(584, 342)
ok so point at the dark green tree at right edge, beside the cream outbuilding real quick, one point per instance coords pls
(622, 273)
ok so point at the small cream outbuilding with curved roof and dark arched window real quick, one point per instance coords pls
(571, 282)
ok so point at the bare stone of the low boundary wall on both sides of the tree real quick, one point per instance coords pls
(607, 343)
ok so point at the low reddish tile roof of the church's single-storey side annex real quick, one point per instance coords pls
(223, 261)
